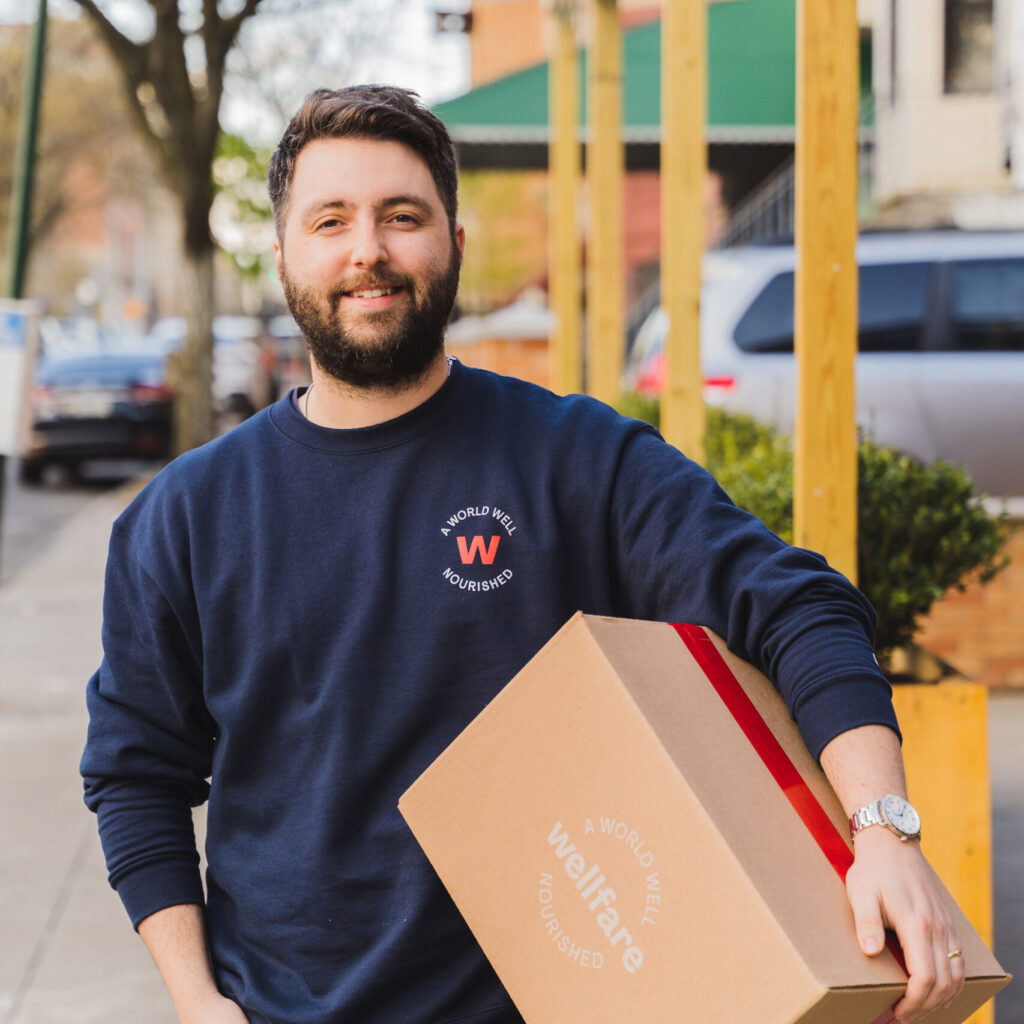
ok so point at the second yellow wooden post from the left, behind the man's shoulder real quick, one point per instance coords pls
(606, 291)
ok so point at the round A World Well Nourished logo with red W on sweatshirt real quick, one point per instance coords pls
(479, 561)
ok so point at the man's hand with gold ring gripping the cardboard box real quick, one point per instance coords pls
(891, 885)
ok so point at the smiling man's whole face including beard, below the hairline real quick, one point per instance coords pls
(368, 262)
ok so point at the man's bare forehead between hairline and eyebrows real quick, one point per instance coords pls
(360, 172)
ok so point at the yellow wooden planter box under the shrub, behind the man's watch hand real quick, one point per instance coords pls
(946, 750)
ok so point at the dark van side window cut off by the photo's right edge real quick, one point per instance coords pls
(989, 306)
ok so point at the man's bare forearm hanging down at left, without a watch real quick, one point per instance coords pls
(177, 940)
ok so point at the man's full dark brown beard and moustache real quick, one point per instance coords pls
(390, 351)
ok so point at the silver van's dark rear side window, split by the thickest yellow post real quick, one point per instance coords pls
(892, 307)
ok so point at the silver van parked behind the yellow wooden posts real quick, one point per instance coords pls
(941, 369)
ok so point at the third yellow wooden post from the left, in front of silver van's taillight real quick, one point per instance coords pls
(685, 33)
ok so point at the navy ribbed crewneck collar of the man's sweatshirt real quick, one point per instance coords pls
(430, 415)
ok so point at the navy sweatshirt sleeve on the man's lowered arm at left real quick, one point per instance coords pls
(150, 742)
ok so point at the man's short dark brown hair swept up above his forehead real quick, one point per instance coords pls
(380, 112)
